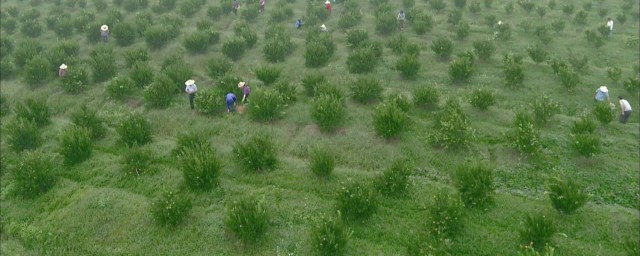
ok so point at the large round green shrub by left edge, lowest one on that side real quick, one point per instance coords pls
(34, 174)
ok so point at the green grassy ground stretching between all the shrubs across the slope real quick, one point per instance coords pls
(95, 208)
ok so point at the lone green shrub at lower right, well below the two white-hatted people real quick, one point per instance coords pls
(566, 196)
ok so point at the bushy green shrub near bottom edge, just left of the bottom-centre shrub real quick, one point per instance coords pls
(247, 219)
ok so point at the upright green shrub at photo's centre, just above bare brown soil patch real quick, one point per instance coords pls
(328, 111)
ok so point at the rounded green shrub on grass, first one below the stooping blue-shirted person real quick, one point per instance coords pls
(257, 153)
